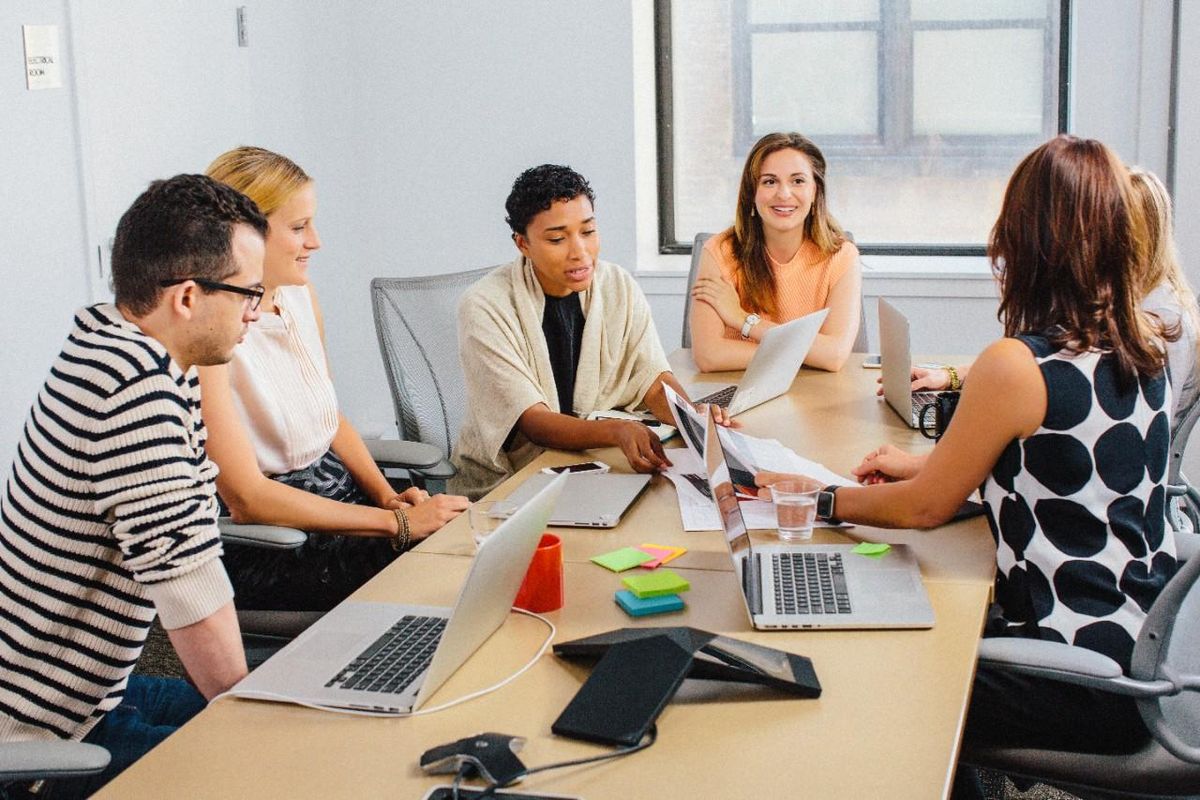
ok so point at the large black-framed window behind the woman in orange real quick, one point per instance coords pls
(922, 107)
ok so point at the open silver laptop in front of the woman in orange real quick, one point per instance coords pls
(773, 368)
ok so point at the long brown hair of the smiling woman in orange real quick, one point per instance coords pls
(757, 281)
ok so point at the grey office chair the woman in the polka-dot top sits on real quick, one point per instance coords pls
(1165, 678)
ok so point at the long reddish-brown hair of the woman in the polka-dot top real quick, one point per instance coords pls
(1071, 251)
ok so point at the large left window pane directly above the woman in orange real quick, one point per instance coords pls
(825, 83)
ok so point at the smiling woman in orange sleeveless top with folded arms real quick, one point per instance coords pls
(784, 257)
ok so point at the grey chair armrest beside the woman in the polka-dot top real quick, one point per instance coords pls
(1066, 664)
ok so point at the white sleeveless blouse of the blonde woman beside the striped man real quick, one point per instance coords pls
(281, 386)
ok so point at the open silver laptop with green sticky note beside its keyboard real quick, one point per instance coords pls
(815, 586)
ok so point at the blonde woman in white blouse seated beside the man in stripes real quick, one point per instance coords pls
(287, 454)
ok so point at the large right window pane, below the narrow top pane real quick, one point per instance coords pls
(979, 82)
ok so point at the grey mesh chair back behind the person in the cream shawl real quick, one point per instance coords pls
(417, 327)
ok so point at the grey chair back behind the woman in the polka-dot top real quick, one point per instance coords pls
(1169, 648)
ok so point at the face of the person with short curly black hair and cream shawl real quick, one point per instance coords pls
(563, 244)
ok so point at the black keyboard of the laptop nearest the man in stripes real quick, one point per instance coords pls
(395, 659)
